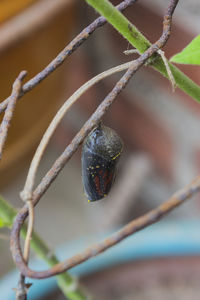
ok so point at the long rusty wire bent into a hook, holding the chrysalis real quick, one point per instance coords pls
(132, 227)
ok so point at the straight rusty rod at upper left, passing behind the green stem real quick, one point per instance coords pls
(67, 51)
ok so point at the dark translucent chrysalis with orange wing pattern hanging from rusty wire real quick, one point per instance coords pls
(101, 151)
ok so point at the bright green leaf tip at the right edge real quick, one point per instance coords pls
(190, 54)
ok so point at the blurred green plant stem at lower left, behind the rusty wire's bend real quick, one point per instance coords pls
(66, 282)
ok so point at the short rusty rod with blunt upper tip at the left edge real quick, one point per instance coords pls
(17, 87)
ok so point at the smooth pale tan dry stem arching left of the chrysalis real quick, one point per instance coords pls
(26, 194)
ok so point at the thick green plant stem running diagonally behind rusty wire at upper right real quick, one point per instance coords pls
(138, 40)
